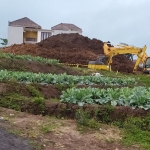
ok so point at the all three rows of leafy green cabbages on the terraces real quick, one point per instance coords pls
(136, 97)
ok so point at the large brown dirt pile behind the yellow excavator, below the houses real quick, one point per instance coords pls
(71, 48)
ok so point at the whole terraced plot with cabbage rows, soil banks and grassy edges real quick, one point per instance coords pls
(73, 93)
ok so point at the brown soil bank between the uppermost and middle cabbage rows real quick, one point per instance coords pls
(31, 66)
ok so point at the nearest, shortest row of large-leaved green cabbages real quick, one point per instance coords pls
(135, 97)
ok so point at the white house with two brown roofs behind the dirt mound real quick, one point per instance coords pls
(25, 30)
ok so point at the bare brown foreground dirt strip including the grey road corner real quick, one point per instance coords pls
(54, 134)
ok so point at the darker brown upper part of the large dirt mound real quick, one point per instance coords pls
(72, 42)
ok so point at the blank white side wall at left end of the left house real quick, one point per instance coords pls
(15, 35)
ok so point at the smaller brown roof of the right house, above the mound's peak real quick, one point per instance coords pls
(66, 27)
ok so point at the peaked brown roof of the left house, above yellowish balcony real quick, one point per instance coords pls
(25, 22)
